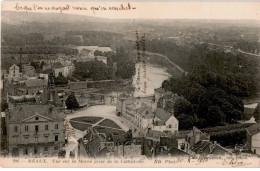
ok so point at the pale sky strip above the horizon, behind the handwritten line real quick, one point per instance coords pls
(147, 10)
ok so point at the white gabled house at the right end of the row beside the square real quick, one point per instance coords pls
(165, 121)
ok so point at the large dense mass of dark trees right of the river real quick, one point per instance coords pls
(214, 88)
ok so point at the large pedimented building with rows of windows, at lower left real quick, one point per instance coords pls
(35, 130)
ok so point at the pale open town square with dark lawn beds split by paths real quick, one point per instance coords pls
(101, 117)
